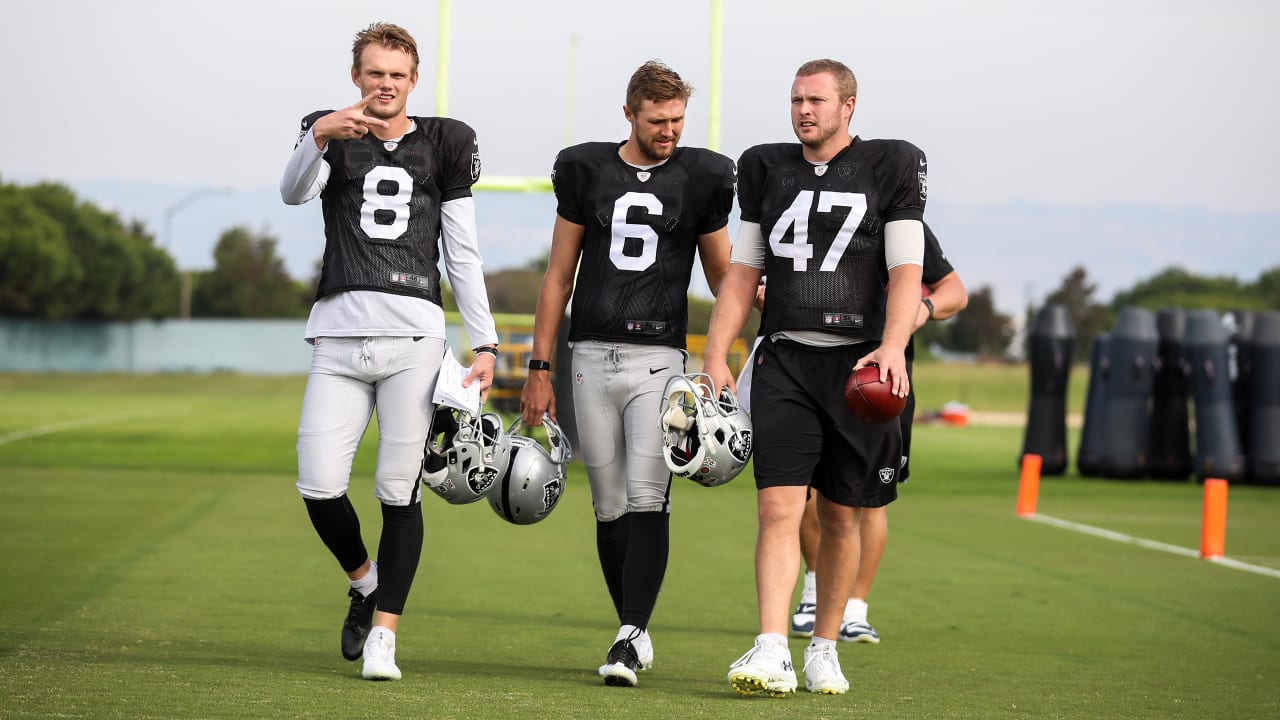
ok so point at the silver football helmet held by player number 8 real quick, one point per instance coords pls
(465, 454)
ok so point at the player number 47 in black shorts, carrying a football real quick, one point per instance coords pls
(833, 221)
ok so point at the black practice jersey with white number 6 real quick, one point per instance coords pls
(641, 238)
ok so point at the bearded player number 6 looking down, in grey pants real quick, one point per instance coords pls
(629, 221)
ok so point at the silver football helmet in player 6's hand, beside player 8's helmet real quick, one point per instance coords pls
(534, 481)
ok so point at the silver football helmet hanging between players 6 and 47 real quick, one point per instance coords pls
(707, 440)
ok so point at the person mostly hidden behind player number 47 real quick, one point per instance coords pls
(947, 297)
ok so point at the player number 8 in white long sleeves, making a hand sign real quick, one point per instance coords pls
(394, 190)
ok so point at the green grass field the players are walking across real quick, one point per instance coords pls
(162, 566)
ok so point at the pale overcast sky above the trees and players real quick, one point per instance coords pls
(1081, 104)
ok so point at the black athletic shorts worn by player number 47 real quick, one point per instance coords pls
(804, 435)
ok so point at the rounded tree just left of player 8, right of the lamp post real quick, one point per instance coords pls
(249, 281)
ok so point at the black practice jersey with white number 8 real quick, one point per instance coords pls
(382, 207)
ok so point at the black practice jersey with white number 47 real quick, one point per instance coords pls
(824, 229)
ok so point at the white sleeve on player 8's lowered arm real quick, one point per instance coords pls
(461, 248)
